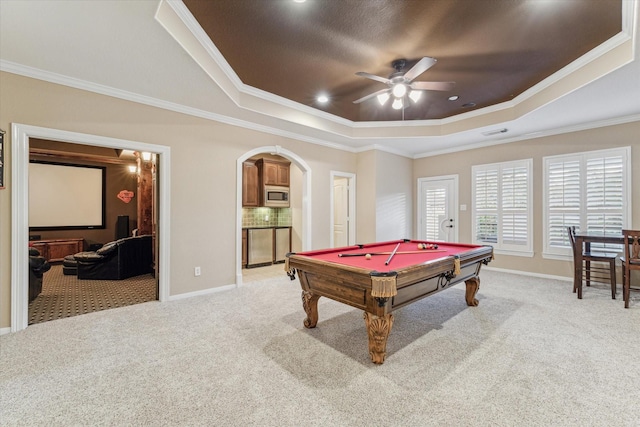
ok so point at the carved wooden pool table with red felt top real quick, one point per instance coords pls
(371, 278)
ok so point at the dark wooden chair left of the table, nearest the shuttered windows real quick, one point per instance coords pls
(591, 271)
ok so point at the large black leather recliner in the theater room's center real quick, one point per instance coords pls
(120, 259)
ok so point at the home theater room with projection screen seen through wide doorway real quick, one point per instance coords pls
(84, 205)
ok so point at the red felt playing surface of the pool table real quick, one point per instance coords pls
(399, 261)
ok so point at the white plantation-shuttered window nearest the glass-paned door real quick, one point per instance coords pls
(502, 206)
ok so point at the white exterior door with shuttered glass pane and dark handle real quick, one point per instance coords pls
(437, 213)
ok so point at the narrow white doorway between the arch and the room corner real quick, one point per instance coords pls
(343, 206)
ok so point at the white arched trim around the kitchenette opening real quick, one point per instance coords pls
(306, 198)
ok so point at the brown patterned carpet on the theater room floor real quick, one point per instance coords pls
(66, 296)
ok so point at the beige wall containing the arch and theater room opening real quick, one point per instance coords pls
(204, 154)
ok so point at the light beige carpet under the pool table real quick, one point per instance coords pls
(529, 354)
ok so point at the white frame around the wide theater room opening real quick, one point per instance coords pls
(20, 135)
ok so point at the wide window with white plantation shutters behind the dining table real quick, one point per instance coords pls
(587, 190)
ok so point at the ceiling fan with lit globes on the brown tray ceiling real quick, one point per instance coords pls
(401, 83)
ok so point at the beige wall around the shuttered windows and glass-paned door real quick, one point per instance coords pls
(461, 163)
